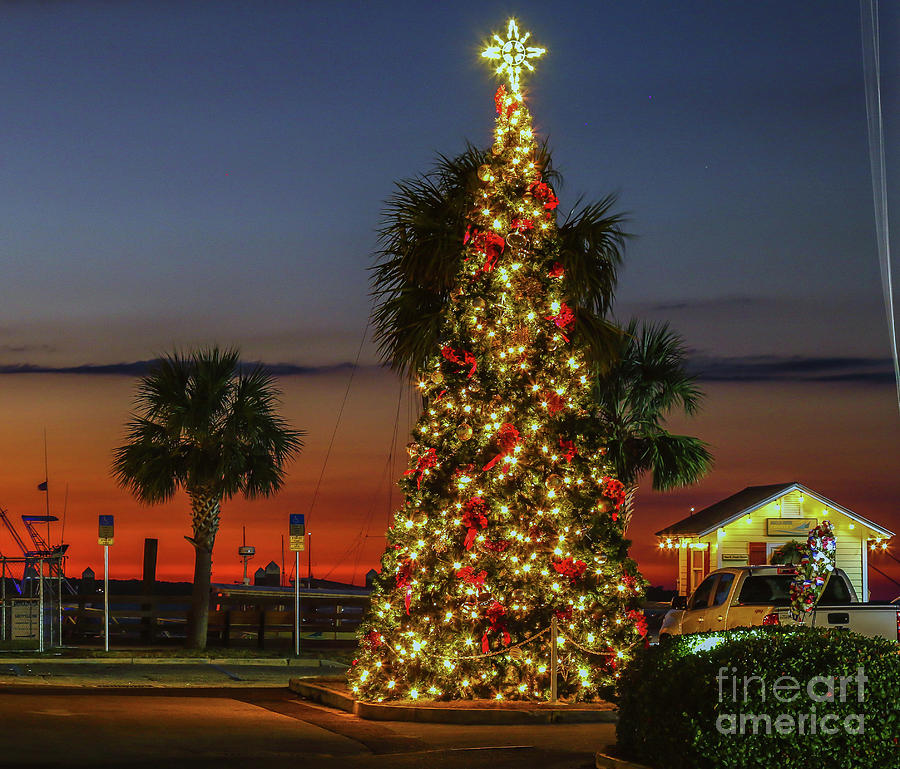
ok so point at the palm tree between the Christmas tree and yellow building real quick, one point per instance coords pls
(646, 382)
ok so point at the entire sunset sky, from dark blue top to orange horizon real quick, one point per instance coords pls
(181, 173)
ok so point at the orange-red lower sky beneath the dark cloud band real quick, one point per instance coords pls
(839, 444)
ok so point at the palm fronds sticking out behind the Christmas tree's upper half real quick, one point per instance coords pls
(422, 248)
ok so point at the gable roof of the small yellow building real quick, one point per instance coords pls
(745, 502)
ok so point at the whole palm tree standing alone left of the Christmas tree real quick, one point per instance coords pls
(205, 425)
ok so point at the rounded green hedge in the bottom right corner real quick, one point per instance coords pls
(678, 709)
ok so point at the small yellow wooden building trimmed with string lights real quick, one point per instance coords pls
(747, 527)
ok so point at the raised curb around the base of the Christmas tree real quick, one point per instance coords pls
(374, 711)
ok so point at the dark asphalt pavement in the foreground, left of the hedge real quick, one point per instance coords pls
(261, 727)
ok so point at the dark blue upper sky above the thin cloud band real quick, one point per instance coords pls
(174, 170)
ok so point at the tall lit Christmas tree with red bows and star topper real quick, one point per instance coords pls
(510, 527)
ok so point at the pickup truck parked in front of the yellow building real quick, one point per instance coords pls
(744, 596)
